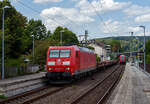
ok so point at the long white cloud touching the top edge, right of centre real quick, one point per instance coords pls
(100, 6)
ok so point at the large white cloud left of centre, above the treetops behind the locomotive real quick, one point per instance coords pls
(65, 16)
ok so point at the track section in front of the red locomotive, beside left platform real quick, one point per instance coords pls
(30, 96)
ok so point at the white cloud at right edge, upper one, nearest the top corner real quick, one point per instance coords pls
(136, 10)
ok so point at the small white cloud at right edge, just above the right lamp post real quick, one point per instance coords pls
(143, 18)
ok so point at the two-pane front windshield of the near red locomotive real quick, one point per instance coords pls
(63, 53)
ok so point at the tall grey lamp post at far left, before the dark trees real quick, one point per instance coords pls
(3, 70)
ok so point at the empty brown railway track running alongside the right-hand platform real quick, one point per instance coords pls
(99, 91)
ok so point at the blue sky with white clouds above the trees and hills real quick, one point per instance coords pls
(102, 18)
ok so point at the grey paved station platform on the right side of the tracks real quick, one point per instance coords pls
(133, 88)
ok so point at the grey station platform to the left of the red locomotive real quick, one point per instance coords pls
(17, 85)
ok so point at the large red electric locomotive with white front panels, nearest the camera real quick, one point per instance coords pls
(69, 62)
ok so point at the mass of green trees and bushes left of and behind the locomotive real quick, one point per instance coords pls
(18, 38)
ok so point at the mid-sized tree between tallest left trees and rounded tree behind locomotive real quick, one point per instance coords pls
(38, 30)
